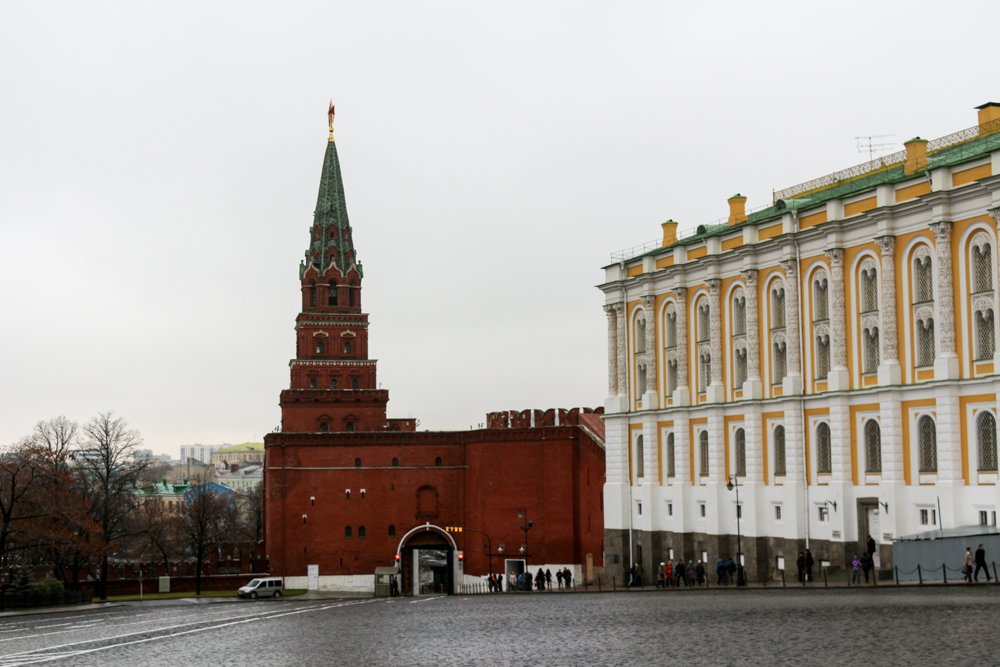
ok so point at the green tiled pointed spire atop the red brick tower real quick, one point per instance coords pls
(332, 238)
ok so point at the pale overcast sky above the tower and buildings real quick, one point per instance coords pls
(159, 164)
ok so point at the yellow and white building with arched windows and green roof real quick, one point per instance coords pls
(832, 355)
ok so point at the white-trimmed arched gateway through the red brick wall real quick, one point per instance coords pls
(428, 561)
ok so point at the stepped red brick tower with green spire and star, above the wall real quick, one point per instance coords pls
(333, 386)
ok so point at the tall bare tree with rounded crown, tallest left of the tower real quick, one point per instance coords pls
(108, 465)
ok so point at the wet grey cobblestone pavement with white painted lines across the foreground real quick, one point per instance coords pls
(906, 626)
